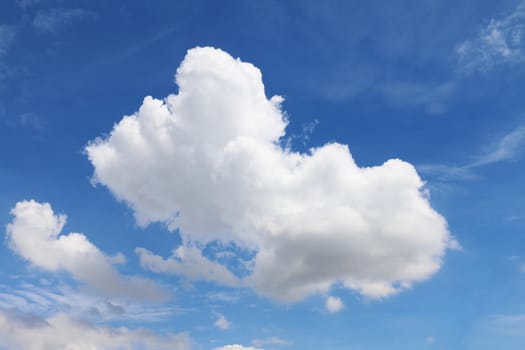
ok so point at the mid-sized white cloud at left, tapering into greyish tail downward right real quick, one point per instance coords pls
(34, 234)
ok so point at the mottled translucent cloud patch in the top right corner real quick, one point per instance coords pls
(501, 41)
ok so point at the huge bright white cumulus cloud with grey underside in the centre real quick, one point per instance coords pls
(209, 161)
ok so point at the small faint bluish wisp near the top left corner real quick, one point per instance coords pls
(55, 20)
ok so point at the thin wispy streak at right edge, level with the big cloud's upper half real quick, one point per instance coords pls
(507, 148)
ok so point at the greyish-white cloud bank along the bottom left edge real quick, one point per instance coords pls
(25, 331)
